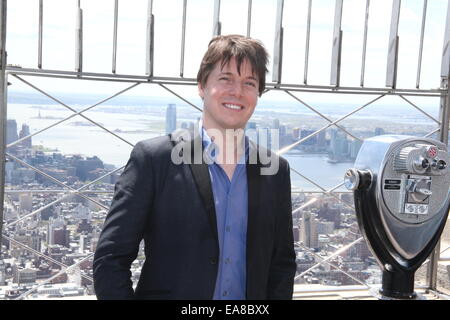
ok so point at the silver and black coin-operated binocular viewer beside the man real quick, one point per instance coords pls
(401, 192)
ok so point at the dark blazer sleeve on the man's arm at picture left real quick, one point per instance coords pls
(123, 229)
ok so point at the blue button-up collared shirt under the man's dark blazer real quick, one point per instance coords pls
(231, 203)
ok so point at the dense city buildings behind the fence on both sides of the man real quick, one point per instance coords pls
(69, 228)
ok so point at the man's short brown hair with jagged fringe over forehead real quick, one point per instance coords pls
(223, 48)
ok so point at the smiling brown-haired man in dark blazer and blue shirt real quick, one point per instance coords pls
(214, 223)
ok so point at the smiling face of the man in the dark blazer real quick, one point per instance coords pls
(229, 98)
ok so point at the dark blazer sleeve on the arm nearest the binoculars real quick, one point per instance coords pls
(283, 265)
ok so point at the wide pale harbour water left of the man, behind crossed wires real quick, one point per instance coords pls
(78, 136)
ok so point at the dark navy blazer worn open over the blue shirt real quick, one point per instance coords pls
(170, 206)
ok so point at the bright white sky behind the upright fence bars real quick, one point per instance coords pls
(59, 39)
